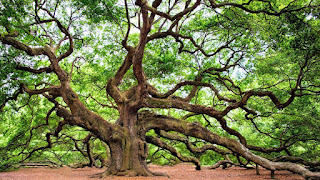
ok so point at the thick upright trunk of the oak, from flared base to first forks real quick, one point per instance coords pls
(128, 154)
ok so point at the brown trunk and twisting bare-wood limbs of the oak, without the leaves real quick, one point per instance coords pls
(127, 138)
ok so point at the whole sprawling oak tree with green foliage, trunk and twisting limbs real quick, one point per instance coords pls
(172, 70)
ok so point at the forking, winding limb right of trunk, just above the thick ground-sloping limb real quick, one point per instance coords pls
(177, 103)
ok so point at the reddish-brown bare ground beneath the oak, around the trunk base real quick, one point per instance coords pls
(181, 172)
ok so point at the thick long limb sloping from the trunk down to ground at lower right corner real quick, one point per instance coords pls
(193, 129)
